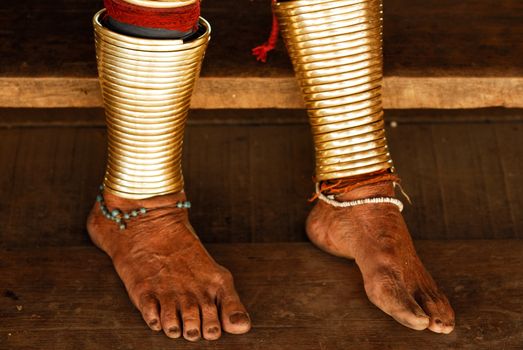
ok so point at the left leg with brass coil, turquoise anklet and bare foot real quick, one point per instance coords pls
(140, 218)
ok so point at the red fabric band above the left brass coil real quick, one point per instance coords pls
(183, 19)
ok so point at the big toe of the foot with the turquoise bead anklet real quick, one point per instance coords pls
(235, 319)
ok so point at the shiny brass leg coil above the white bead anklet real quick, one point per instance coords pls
(336, 50)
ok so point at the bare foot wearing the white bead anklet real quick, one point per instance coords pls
(375, 235)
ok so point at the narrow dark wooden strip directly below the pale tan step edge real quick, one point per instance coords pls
(94, 117)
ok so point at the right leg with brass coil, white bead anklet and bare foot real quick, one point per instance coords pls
(336, 52)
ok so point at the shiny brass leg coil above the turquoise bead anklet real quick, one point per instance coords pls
(146, 87)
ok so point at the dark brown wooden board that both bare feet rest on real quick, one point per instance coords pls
(298, 297)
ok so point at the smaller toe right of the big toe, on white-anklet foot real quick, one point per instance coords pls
(441, 314)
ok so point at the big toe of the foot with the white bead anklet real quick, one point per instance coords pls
(394, 300)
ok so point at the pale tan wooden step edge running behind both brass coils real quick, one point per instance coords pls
(275, 92)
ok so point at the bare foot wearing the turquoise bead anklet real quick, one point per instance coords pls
(170, 277)
